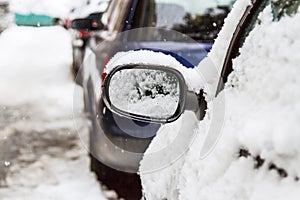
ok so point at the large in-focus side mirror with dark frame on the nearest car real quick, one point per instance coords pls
(150, 93)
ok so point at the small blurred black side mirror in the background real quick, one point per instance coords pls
(86, 23)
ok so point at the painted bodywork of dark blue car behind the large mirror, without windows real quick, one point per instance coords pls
(188, 54)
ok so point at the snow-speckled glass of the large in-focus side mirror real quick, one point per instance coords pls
(150, 93)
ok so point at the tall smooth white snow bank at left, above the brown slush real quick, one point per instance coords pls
(36, 66)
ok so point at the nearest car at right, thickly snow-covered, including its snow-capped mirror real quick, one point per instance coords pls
(247, 144)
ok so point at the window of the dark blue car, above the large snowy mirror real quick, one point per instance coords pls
(201, 20)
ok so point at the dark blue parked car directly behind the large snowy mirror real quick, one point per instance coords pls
(182, 30)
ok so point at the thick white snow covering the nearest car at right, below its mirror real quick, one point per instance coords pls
(258, 154)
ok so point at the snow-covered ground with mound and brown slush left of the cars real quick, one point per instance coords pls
(41, 156)
